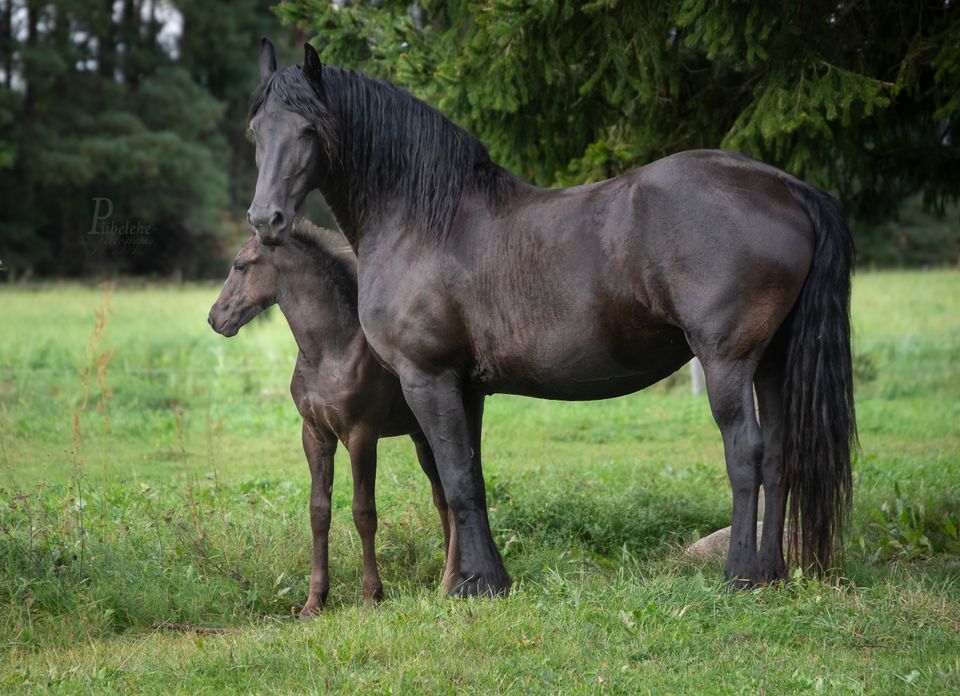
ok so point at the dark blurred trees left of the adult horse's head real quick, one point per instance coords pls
(142, 102)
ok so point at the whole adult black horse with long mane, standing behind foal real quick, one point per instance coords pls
(472, 282)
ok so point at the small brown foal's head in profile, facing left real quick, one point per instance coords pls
(251, 287)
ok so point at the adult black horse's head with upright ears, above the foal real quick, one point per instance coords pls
(287, 141)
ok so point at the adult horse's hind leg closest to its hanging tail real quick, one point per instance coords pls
(769, 385)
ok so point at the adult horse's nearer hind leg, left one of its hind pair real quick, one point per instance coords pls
(730, 389)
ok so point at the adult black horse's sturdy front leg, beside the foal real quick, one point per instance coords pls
(451, 421)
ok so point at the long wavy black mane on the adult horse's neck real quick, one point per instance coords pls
(392, 147)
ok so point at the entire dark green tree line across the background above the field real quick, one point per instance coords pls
(858, 97)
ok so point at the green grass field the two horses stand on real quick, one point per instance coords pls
(151, 471)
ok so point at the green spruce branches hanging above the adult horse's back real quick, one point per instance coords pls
(859, 98)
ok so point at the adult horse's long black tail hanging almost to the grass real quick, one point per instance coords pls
(820, 430)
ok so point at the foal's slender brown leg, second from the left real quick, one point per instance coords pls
(362, 446)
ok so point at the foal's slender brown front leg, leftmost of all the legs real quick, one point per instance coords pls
(320, 460)
